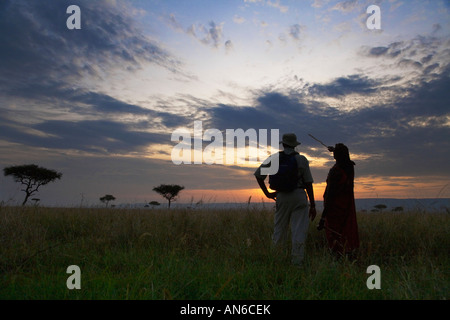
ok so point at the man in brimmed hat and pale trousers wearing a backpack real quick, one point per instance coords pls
(291, 201)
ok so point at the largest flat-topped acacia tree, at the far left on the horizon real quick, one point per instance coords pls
(32, 177)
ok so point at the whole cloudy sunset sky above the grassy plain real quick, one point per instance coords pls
(100, 103)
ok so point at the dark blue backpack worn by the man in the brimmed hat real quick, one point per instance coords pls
(286, 179)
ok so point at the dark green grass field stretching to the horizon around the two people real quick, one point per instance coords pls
(215, 254)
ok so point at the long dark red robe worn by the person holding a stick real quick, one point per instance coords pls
(340, 213)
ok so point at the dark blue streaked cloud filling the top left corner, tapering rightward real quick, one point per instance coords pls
(39, 46)
